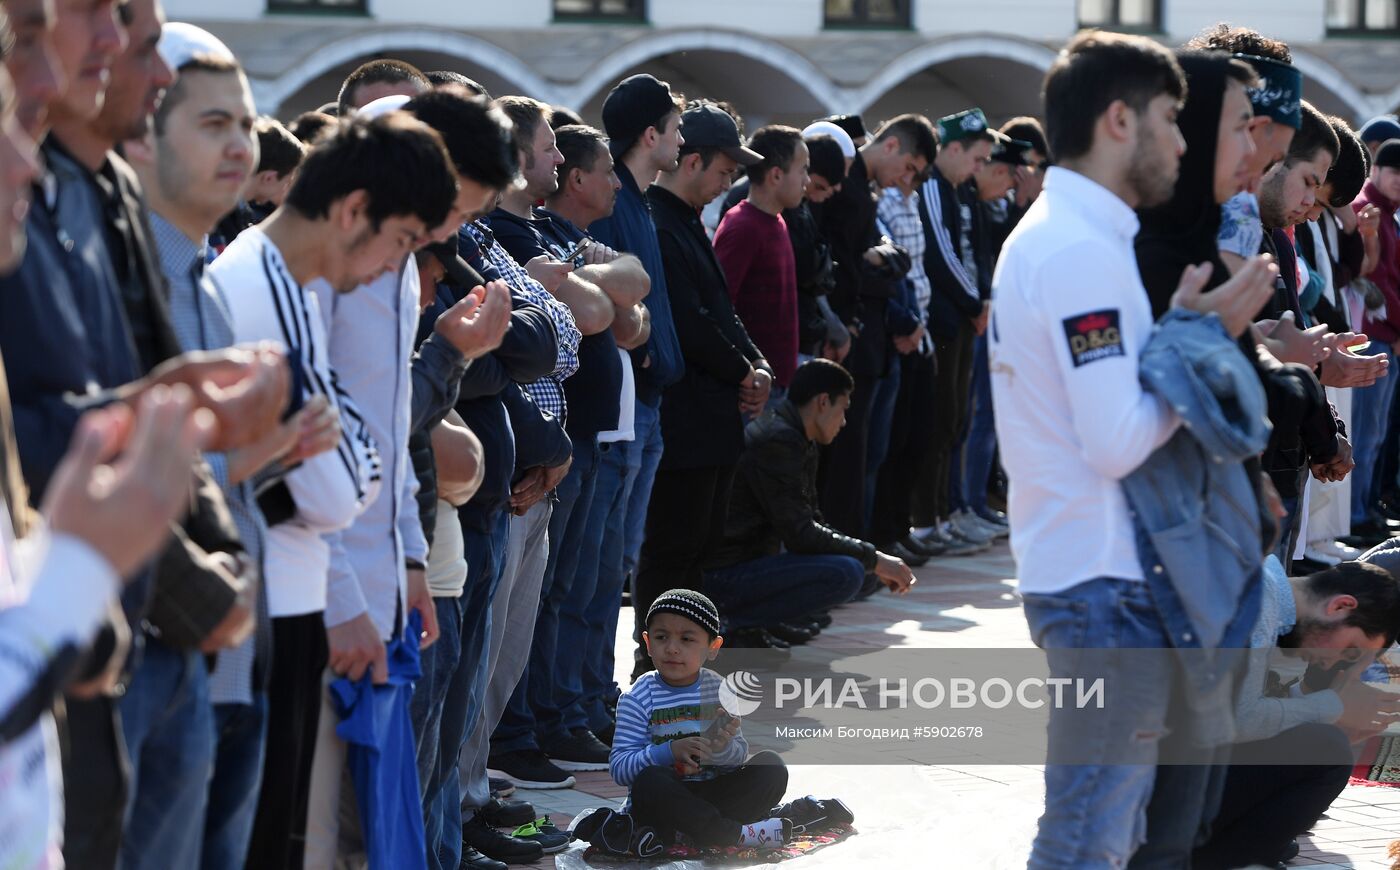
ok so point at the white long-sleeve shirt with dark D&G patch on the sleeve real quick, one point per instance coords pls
(1069, 320)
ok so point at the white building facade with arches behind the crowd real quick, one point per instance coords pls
(776, 61)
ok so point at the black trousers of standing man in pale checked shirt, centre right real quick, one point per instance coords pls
(909, 443)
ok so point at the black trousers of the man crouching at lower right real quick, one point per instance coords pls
(1268, 805)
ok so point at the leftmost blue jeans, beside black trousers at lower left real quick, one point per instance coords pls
(169, 725)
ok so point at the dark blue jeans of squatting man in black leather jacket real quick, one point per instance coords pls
(782, 588)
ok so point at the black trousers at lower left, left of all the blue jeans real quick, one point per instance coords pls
(96, 777)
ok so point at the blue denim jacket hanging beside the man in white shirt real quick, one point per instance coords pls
(1193, 504)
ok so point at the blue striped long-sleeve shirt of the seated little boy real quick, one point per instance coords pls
(653, 714)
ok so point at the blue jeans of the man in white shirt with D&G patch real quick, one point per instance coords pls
(1097, 815)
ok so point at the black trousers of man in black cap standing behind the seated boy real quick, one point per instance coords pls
(685, 523)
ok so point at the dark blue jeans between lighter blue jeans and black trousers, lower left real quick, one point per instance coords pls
(241, 731)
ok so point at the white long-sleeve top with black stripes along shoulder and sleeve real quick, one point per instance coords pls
(331, 490)
